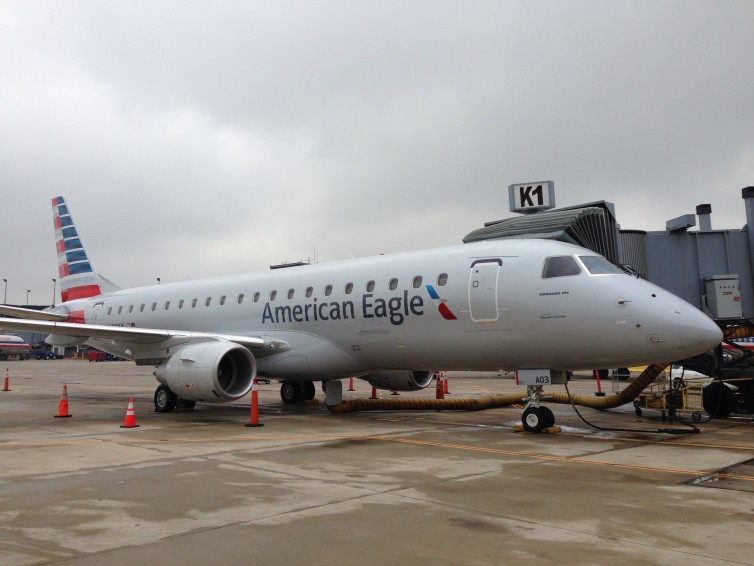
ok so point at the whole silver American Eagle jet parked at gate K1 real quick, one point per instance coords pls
(392, 320)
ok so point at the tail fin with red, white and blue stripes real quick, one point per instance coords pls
(78, 280)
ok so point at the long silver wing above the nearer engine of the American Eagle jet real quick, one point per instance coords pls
(138, 335)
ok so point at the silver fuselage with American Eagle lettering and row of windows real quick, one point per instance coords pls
(355, 316)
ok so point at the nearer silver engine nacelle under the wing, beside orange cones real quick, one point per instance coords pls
(211, 372)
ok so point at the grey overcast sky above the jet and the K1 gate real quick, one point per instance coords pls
(204, 138)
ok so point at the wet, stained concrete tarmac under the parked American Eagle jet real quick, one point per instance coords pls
(311, 487)
